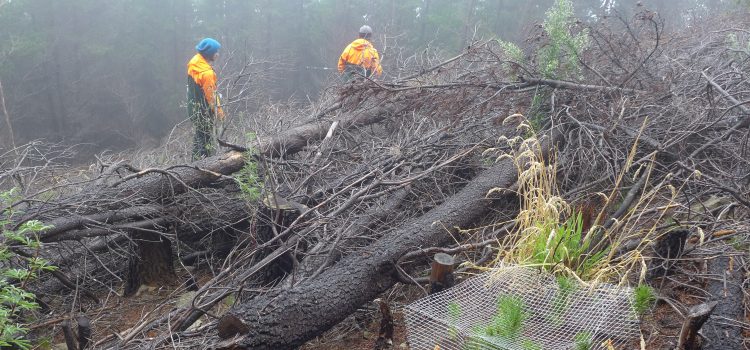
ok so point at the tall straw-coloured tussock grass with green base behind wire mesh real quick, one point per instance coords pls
(548, 231)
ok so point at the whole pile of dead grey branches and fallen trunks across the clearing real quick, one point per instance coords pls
(284, 235)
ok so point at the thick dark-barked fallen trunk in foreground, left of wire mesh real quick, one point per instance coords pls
(289, 318)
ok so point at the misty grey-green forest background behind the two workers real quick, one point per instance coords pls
(111, 74)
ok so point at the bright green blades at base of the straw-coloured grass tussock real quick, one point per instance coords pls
(564, 245)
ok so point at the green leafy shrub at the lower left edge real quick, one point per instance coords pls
(16, 272)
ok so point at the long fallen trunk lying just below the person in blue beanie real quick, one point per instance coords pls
(154, 185)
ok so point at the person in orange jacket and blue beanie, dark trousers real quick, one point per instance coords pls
(203, 101)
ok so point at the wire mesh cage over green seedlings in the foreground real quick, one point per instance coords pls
(522, 308)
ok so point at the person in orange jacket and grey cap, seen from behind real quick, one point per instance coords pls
(360, 57)
